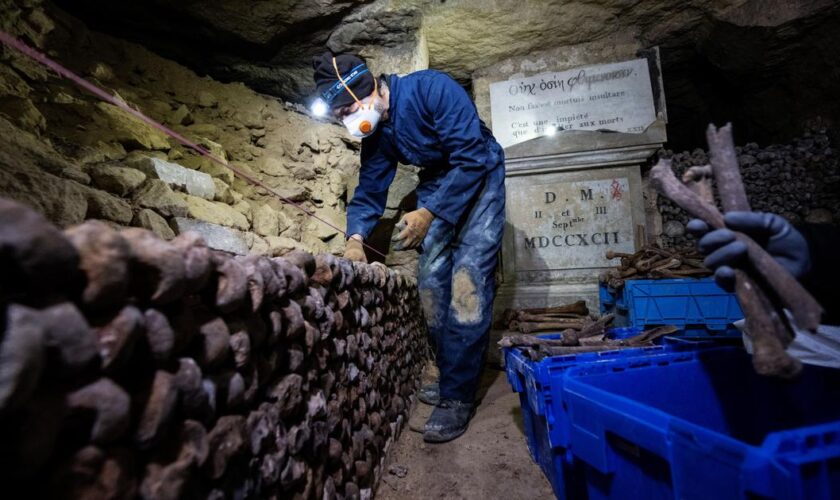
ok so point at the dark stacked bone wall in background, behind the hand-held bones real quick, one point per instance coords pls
(799, 181)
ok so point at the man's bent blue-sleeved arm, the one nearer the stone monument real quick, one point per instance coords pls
(459, 129)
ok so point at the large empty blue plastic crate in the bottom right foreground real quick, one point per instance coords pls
(702, 424)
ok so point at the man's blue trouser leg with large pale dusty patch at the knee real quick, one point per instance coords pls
(457, 287)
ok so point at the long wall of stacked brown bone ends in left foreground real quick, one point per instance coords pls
(135, 367)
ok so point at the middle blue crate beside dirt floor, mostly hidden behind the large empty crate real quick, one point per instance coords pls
(546, 423)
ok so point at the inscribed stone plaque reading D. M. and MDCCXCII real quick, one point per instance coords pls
(561, 224)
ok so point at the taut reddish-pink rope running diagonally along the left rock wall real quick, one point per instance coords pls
(33, 54)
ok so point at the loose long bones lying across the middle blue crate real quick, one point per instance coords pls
(592, 338)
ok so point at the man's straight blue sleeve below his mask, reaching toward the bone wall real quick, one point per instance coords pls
(368, 203)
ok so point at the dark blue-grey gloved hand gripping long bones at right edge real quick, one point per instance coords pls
(775, 234)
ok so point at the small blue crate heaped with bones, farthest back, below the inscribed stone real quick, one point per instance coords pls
(697, 306)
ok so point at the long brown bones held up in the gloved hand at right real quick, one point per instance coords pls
(765, 290)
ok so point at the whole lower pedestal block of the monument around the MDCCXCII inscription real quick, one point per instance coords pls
(560, 224)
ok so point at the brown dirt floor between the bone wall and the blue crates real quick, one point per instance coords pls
(489, 461)
